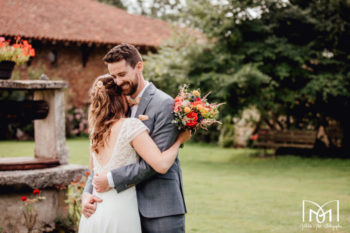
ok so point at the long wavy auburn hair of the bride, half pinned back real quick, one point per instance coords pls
(106, 107)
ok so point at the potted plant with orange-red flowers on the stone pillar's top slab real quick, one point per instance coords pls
(12, 54)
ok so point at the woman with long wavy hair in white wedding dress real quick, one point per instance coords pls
(115, 142)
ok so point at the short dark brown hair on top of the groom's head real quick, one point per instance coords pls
(125, 52)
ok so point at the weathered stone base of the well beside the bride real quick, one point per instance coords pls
(15, 184)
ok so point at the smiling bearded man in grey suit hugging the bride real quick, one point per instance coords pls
(160, 197)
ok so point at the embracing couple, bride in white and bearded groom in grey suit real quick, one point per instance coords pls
(136, 181)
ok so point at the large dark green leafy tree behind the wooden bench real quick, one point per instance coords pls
(288, 59)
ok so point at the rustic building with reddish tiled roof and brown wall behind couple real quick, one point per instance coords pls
(71, 37)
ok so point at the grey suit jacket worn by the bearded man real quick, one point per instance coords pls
(158, 195)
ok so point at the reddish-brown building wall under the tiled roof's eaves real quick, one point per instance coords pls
(69, 67)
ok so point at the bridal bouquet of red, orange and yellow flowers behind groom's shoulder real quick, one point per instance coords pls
(193, 112)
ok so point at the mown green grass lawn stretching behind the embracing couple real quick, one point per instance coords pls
(232, 190)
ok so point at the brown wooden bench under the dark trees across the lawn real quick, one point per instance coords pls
(273, 139)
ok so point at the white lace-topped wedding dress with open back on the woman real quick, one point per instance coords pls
(118, 212)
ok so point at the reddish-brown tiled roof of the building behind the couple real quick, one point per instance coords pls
(79, 21)
